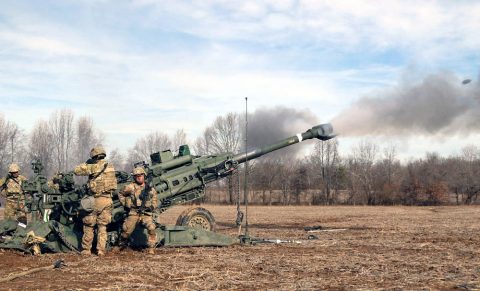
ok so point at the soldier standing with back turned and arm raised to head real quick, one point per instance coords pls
(101, 184)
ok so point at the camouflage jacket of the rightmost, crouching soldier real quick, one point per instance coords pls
(130, 197)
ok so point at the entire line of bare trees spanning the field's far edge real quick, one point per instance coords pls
(368, 175)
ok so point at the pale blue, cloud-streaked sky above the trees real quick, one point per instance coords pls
(136, 67)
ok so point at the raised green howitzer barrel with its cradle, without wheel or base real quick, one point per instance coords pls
(184, 177)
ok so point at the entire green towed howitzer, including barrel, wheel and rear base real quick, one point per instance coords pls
(177, 179)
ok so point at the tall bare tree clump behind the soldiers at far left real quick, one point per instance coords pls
(59, 142)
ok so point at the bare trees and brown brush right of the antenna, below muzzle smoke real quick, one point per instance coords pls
(367, 176)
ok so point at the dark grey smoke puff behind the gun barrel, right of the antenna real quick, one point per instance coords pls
(269, 125)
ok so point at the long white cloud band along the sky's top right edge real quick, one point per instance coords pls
(428, 28)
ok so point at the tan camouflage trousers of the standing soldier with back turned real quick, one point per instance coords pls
(100, 216)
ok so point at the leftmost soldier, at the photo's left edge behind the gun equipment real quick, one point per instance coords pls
(11, 189)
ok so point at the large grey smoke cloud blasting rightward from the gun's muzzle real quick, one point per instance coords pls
(437, 105)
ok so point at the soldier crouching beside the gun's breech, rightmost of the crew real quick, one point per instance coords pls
(140, 200)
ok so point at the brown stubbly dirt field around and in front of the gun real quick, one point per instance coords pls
(372, 248)
